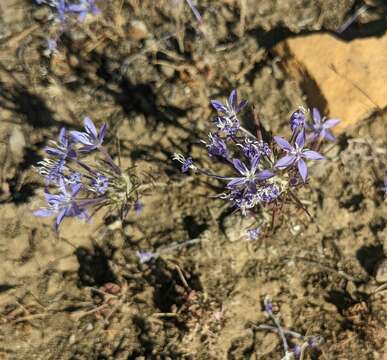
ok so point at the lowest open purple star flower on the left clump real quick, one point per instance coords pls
(63, 204)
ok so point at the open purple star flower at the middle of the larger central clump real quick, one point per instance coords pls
(249, 176)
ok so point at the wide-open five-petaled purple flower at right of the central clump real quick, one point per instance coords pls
(296, 154)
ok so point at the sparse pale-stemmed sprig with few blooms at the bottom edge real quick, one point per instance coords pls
(301, 342)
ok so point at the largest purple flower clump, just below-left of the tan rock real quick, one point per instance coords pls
(263, 173)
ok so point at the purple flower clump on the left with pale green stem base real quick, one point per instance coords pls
(76, 182)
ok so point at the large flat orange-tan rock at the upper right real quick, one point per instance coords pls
(346, 80)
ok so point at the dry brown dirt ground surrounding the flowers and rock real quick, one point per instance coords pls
(148, 69)
